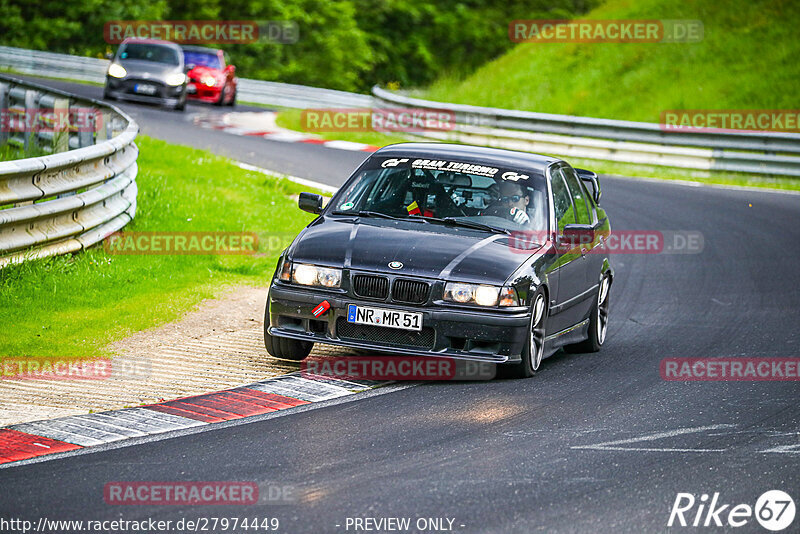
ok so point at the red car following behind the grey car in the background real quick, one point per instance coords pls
(211, 78)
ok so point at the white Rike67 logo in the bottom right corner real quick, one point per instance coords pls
(774, 510)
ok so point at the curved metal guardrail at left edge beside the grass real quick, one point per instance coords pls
(65, 201)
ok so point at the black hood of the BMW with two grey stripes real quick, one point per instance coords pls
(426, 250)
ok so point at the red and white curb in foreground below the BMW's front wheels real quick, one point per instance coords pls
(29, 440)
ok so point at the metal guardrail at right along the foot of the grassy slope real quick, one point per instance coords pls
(623, 141)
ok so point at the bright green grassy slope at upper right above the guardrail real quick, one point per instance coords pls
(747, 60)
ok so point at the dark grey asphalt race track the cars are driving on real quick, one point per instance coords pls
(515, 455)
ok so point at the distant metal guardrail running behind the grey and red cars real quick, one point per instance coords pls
(254, 91)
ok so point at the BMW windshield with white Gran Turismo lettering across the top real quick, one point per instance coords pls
(457, 191)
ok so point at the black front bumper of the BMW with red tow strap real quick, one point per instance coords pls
(469, 334)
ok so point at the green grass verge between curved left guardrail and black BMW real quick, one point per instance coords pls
(75, 305)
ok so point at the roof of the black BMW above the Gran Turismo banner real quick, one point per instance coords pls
(495, 156)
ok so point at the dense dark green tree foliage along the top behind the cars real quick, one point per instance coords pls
(344, 44)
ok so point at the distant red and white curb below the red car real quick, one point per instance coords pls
(262, 124)
